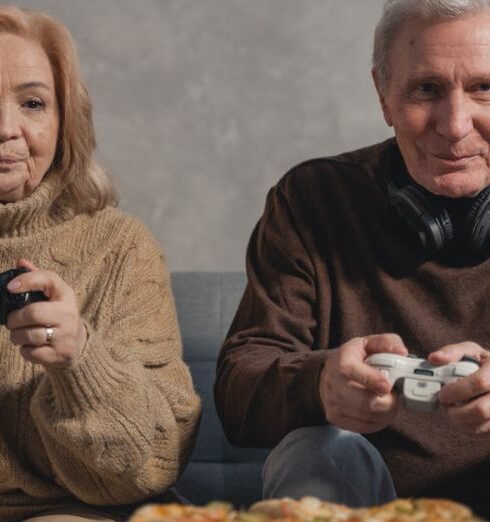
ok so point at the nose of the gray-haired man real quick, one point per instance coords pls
(454, 118)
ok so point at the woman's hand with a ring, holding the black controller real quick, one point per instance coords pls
(50, 332)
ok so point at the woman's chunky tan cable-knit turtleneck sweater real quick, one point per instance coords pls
(118, 427)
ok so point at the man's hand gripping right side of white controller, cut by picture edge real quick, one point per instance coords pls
(467, 401)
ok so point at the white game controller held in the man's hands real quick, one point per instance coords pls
(422, 380)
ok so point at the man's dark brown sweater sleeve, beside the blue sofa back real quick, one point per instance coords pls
(269, 365)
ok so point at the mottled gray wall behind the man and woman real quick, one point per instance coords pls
(201, 105)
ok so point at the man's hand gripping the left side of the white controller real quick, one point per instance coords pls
(356, 396)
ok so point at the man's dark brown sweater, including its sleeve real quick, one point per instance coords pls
(326, 264)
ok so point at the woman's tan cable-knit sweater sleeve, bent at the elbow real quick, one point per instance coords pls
(119, 426)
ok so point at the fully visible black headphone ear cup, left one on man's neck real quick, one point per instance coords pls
(429, 221)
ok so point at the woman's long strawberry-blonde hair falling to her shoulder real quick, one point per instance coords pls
(86, 187)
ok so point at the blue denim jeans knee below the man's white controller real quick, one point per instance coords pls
(328, 463)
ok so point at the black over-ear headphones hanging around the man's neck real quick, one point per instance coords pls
(437, 221)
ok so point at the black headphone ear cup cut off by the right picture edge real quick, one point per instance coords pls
(477, 222)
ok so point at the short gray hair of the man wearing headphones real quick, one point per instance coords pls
(395, 12)
